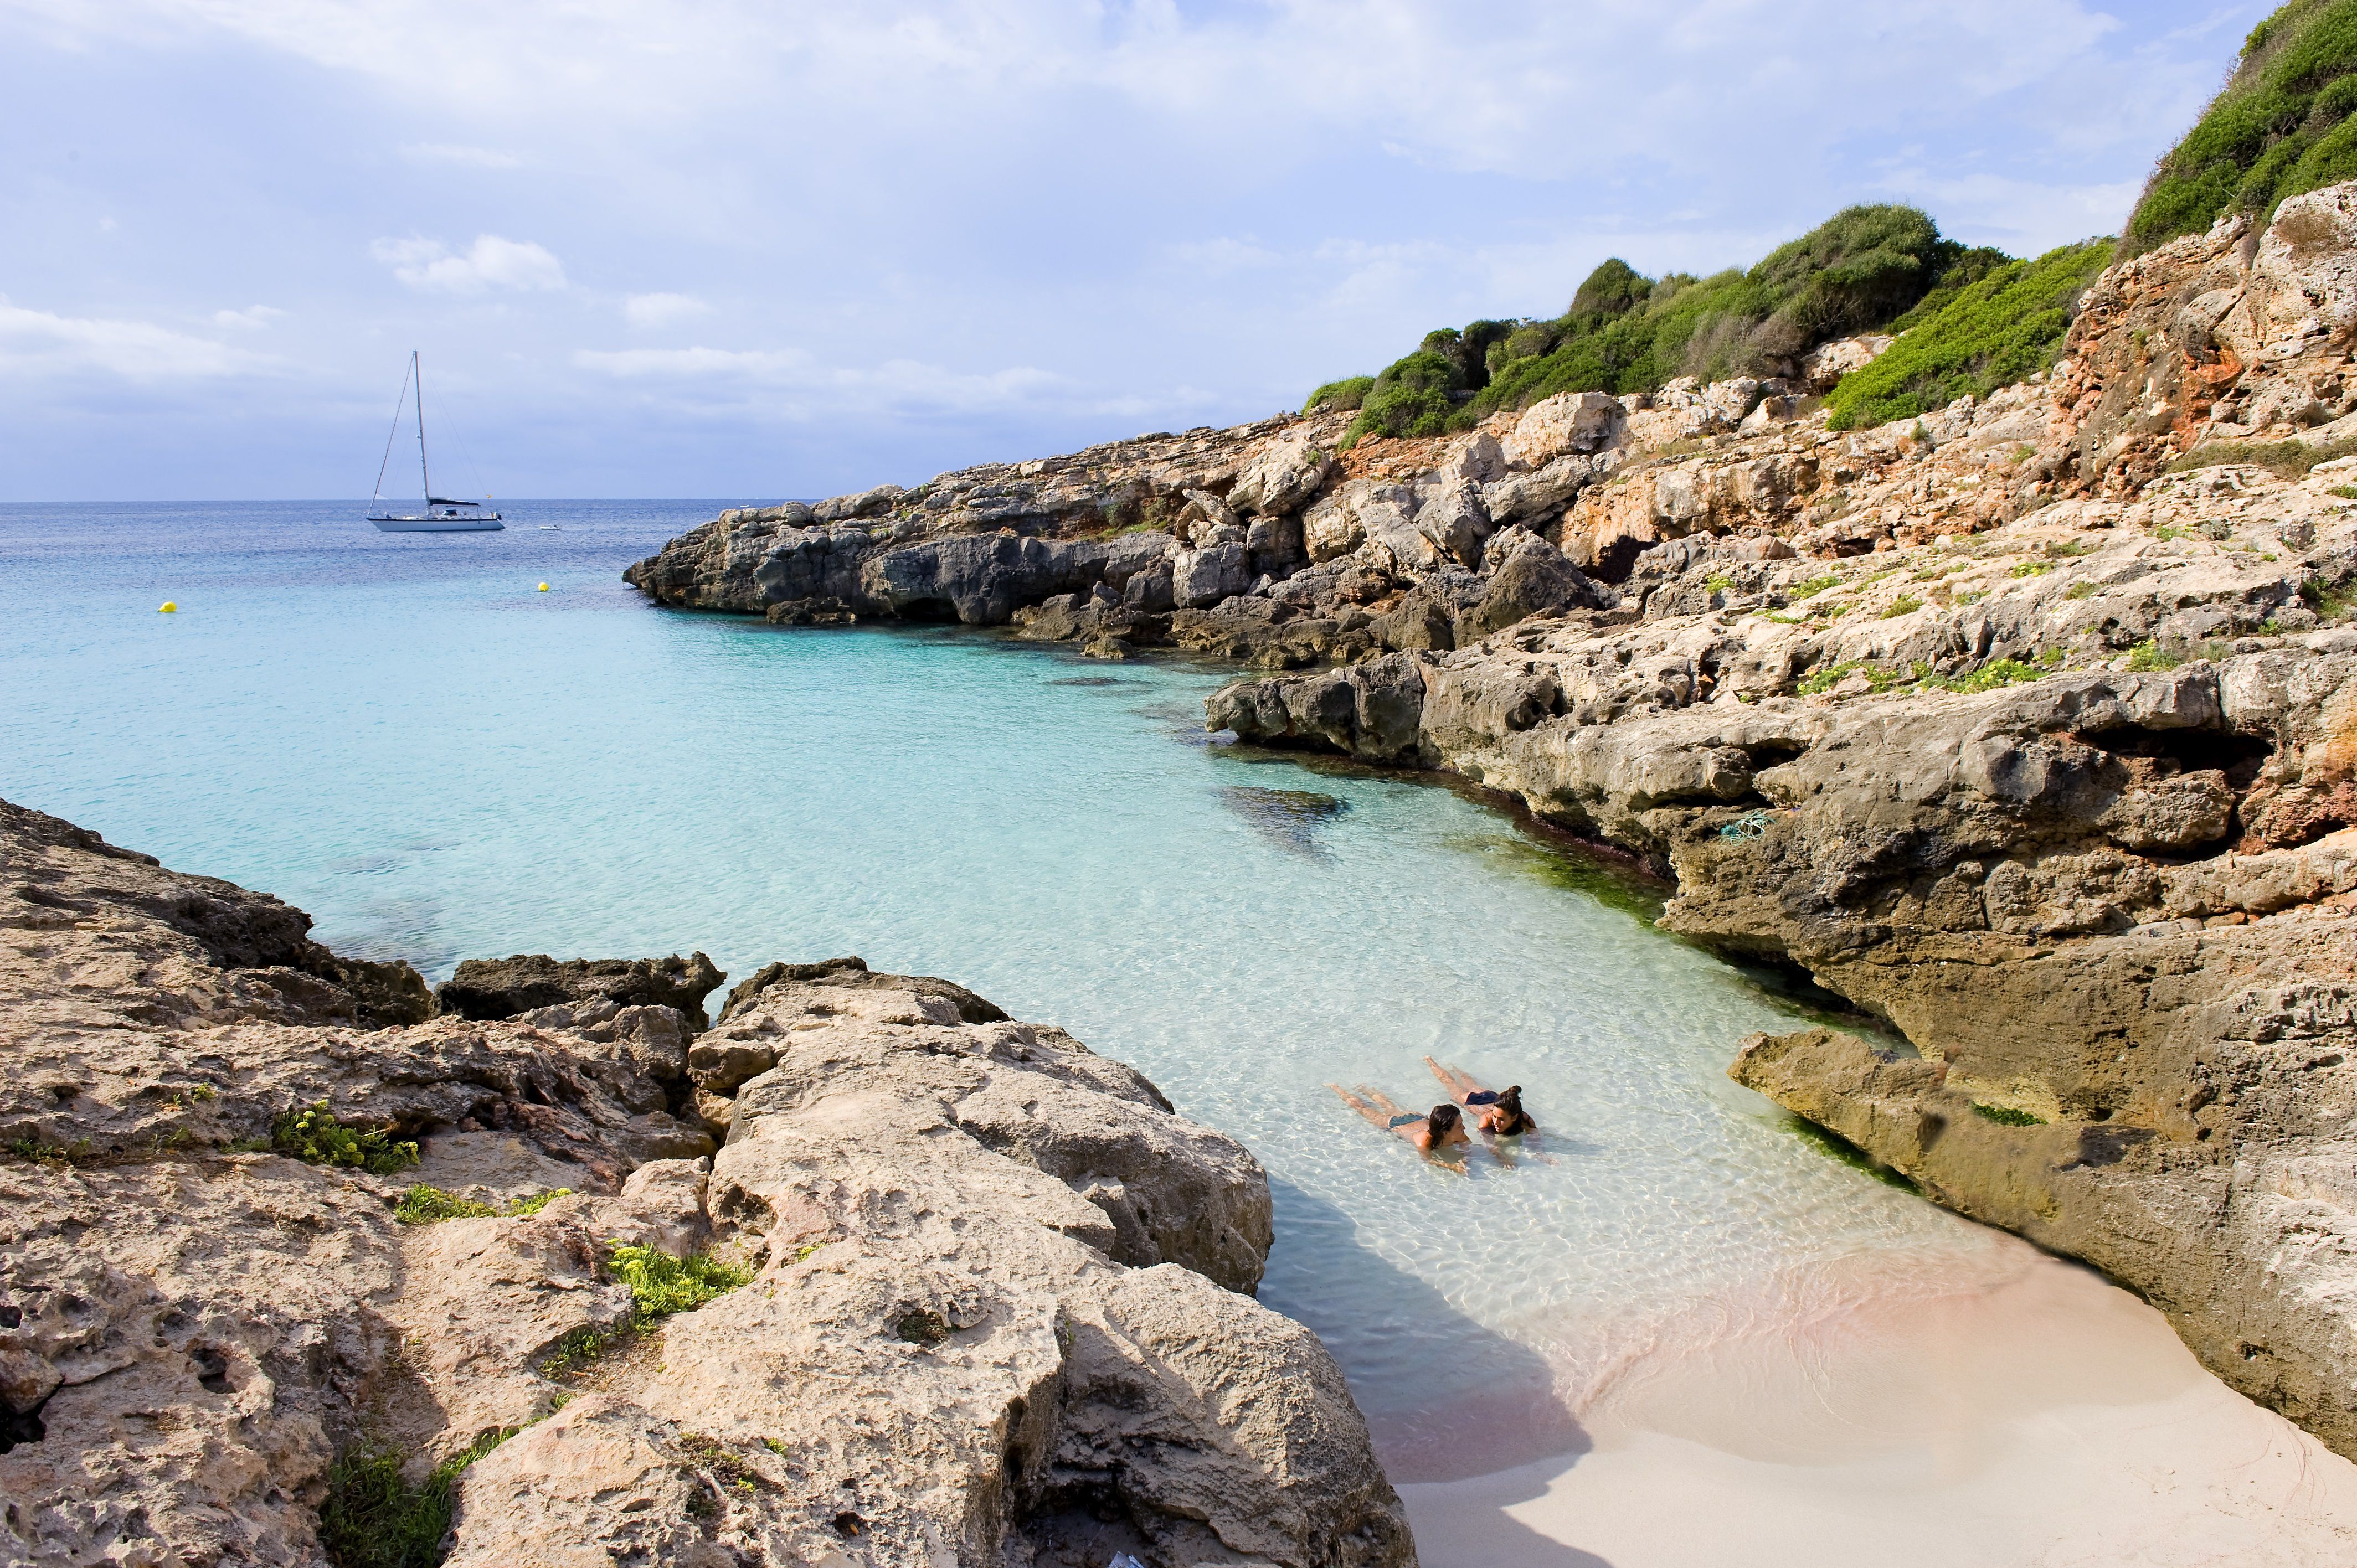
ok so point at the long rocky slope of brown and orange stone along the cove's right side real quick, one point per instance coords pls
(2026, 725)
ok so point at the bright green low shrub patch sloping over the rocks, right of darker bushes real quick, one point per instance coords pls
(1990, 334)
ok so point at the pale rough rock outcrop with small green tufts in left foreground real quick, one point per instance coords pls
(866, 1274)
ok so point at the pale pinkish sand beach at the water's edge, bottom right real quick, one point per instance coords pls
(2033, 1416)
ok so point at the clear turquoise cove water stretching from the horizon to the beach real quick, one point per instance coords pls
(437, 760)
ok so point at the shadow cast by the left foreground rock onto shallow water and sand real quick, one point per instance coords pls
(1481, 1404)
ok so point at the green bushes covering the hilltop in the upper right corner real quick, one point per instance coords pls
(2278, 129)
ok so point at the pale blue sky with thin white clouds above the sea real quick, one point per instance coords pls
(762, 249)
